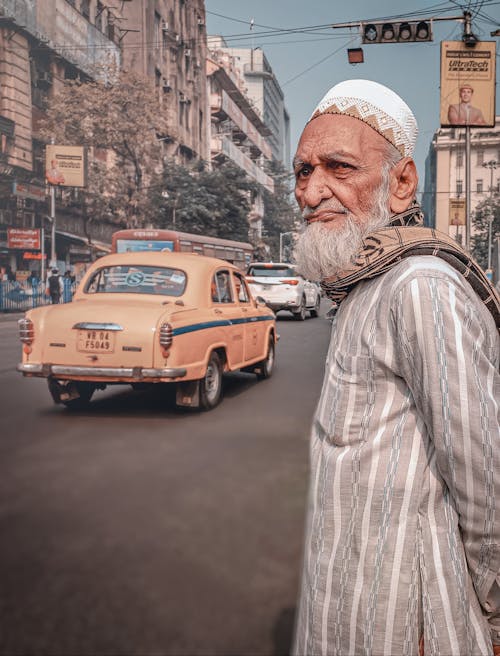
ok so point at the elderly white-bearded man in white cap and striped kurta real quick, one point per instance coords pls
(402, 547)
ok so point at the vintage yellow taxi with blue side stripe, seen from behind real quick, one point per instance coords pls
(139, 318)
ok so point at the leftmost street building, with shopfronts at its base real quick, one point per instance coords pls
(42, 45)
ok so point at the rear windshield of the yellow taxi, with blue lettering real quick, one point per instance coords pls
(137, 279)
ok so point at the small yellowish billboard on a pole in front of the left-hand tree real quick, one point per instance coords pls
(65, 166)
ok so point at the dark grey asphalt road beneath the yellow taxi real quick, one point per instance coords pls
(134, 528)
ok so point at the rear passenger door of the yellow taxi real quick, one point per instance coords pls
(228, 311)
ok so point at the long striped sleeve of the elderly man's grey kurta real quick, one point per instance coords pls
(449, 358)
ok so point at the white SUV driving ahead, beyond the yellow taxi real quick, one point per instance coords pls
(282, 288)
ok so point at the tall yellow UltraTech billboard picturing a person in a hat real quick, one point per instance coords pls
(467, 84)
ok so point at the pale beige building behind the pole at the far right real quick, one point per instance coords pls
(443, 199)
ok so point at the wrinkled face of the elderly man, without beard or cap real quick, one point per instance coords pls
(338, 168)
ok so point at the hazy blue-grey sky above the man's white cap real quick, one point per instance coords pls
(307, 62)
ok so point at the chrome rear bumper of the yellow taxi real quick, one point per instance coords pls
(132, 374)
